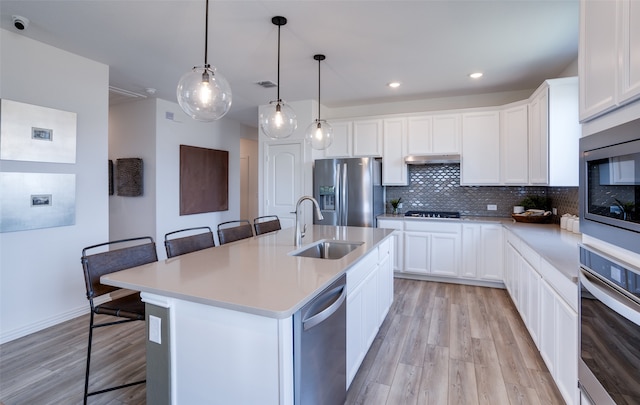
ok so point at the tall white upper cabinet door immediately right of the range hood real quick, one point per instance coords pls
(480, 156)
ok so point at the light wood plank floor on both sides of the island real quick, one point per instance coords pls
(440, 344)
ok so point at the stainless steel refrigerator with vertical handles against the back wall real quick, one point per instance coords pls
(349, 191)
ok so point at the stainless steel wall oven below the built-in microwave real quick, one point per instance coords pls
(609, 366)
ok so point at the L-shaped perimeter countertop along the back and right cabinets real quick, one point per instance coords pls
(557, 246)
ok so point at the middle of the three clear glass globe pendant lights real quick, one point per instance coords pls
(278, 121)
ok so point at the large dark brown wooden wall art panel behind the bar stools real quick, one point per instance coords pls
(204, 180)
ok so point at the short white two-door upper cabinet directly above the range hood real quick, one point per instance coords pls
(434, 134)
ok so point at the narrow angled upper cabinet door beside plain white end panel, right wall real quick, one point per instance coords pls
(539, 138)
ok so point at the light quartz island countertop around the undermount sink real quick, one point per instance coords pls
(256, 275)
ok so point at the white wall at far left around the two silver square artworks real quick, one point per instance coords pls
(41, 279)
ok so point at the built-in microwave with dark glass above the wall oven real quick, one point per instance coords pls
(610, 185)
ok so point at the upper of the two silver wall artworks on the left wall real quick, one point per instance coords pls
(36, 134)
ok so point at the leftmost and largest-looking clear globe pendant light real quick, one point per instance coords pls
(204, 94)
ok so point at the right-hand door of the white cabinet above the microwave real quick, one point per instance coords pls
(630, 67)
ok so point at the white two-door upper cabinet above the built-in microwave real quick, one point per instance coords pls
(609, 60)
